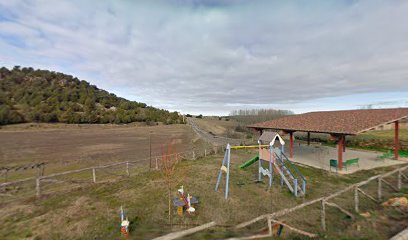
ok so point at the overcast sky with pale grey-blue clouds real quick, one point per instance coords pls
(211, 57)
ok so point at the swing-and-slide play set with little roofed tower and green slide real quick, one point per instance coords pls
(277, 161)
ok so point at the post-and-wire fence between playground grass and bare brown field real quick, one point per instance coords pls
(40, 184)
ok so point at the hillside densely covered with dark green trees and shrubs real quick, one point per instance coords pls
(28, 95)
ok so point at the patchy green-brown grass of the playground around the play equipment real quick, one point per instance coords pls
(91, 211)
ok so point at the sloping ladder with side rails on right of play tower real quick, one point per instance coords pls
(289, 174)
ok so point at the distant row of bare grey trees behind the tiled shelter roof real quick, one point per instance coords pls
(250, 116)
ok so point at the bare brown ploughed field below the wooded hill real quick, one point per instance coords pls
(87, 144)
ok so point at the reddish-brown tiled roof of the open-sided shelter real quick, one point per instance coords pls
(350, 122)
